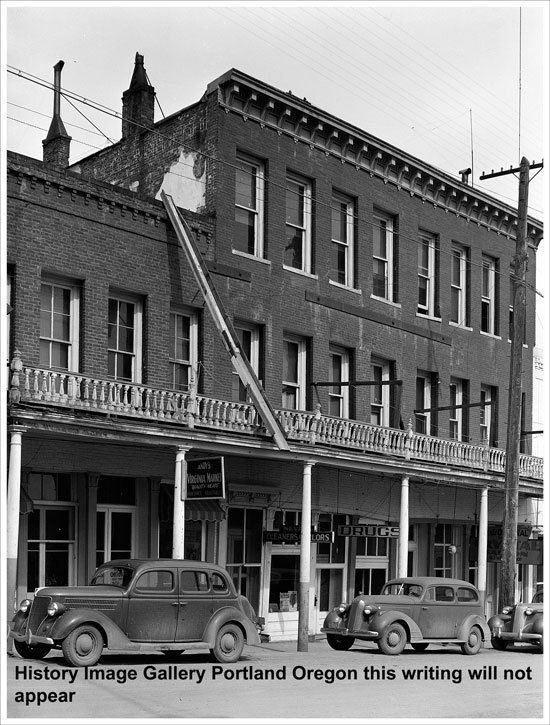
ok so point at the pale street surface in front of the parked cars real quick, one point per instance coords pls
(273, 680)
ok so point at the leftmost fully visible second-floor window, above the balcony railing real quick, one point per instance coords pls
(59, 317)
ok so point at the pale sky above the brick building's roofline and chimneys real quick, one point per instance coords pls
(439, 81)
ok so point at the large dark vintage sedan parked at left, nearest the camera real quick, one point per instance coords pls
(136, 605)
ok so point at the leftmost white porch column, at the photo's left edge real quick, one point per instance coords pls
(12, 516)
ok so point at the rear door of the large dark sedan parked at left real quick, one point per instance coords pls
(195, 605)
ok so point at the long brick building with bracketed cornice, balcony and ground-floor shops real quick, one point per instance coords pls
(339, 259)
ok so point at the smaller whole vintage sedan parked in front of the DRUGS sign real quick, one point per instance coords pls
(415, 610)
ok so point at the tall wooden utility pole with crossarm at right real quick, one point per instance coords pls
(511, 474)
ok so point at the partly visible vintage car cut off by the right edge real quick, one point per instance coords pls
(520, 623)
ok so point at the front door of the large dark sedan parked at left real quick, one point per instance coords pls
(153, 606)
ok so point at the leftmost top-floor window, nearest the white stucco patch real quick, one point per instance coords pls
(249, 206)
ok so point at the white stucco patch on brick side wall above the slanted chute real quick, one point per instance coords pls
(185, 181)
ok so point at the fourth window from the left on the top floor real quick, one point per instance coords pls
(384, 257)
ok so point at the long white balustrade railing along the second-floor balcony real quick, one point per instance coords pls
(73, 391)
